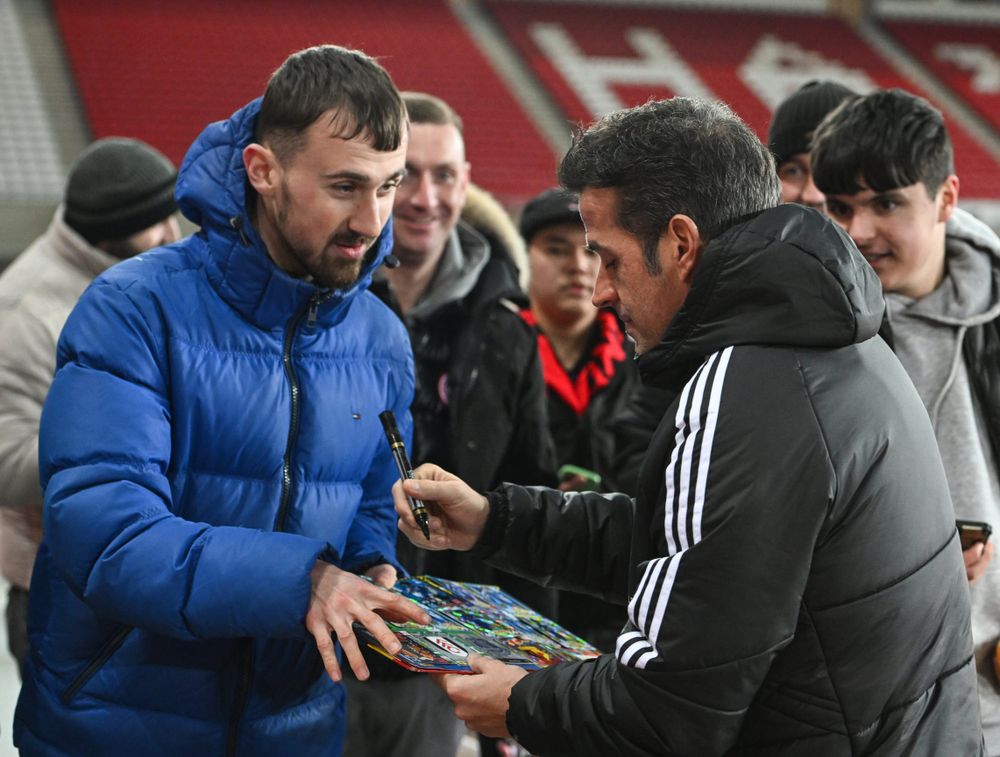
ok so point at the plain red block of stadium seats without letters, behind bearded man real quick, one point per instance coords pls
(162, 71)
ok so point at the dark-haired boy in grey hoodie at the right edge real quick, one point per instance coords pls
(885, 163)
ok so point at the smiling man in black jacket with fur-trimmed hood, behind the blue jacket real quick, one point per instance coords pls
(479, 403)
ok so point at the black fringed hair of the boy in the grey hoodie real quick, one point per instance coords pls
(889, 139)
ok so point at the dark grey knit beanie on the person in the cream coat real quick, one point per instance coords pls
(118, 187)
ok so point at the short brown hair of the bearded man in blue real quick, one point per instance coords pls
(319, 79)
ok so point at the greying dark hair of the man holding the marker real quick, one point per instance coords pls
(683, 155)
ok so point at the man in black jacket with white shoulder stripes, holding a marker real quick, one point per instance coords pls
(793, 574)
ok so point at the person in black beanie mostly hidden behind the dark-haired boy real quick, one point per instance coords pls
(790, 134)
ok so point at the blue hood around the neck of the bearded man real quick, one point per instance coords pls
(212, 193)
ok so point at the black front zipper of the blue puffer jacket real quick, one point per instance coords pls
(246, 653)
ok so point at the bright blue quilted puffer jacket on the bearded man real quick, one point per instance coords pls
(211, 431)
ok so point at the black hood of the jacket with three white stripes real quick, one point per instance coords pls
(789, 276)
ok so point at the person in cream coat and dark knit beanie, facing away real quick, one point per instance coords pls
(119, 201)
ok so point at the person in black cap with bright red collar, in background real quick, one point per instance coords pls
(589, 371)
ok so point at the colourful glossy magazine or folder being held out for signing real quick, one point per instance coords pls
(475, 618)
